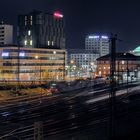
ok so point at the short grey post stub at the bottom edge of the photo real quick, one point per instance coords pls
(38, 131)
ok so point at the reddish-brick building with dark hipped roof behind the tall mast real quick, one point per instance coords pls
(126, 64)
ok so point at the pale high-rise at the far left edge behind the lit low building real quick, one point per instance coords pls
(6, 34)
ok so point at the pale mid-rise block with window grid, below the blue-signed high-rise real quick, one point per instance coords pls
(83, 61)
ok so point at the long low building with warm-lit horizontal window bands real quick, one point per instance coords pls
(32, 64)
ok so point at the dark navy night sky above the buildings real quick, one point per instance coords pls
(83, 17)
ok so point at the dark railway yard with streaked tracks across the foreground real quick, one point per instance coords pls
(75, 115)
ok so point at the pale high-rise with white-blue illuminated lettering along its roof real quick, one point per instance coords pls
(98, 44)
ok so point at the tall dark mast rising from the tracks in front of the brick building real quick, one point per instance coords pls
(112, 94)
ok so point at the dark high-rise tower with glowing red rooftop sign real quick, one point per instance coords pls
(41, 30)
